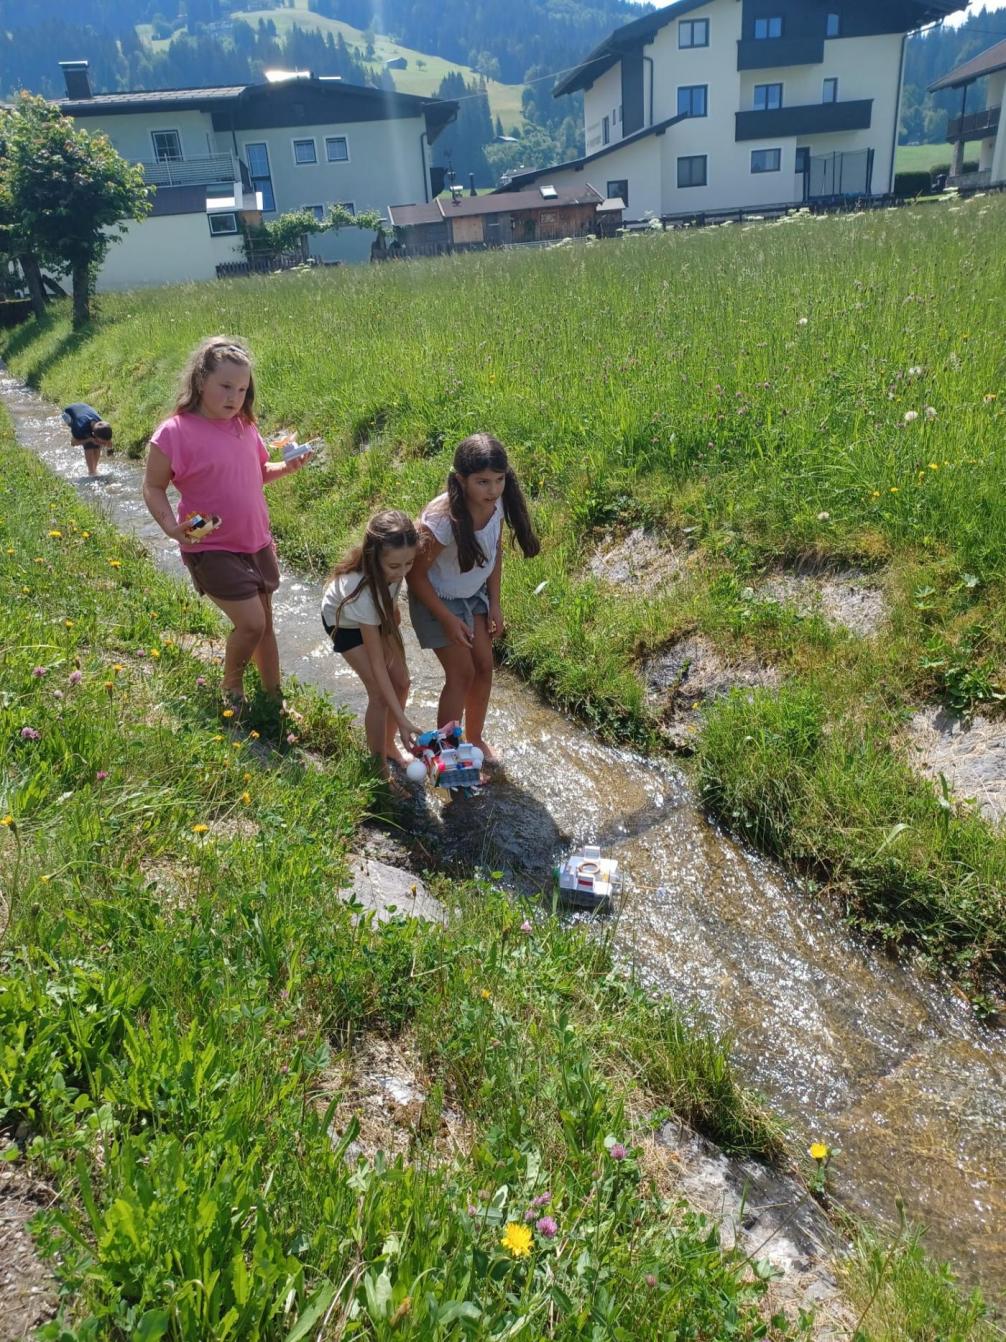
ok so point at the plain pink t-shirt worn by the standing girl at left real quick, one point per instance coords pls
(217, 468)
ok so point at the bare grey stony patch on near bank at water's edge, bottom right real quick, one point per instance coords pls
(765, 1214)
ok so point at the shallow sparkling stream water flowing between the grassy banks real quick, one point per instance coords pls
(851, 1049)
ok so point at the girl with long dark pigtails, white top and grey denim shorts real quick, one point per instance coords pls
(454, 584)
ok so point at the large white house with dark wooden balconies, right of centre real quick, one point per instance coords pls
(714, 105)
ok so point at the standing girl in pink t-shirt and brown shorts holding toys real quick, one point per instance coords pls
(213, 453)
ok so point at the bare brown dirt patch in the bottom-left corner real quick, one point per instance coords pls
(27, 1288)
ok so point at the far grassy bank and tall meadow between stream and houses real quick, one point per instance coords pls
(823, 387)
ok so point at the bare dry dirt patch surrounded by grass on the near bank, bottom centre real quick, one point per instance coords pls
(384, 1088)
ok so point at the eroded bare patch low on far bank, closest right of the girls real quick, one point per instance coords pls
(689, 674)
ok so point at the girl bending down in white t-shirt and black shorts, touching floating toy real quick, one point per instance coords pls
(360, 613)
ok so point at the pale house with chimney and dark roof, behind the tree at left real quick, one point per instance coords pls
(226, 155)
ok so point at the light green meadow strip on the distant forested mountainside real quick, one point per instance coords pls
(423, 74)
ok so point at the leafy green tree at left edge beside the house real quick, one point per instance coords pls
(69, 193)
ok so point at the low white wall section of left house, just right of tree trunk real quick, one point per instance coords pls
(167, 250)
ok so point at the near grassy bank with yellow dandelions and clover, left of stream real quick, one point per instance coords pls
(180, 978)
